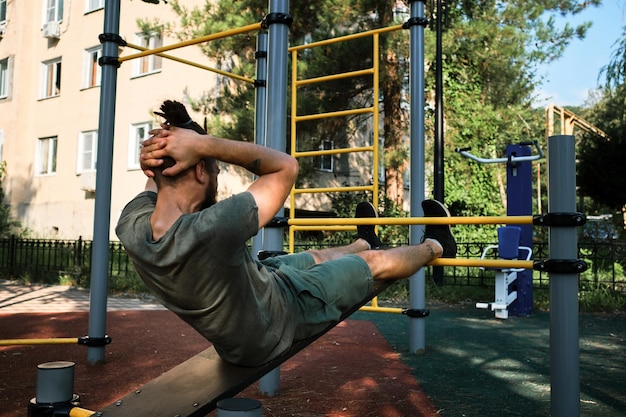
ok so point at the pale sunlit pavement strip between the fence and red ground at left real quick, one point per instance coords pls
(17, 298)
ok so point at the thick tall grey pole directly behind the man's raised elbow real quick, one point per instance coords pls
(276, 129)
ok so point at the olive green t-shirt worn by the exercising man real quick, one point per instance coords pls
(202, 270)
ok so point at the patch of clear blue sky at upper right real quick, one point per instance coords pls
(569, 79)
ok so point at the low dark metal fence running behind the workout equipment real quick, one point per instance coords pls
(51, 261)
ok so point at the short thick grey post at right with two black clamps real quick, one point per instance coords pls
(564, 339)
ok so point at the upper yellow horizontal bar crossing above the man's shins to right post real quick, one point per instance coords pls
(410, 220)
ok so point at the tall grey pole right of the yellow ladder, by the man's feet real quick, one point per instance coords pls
(417, 282)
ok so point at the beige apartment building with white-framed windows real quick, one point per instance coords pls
(49, 107)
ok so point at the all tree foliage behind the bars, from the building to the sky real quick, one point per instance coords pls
(491, 50)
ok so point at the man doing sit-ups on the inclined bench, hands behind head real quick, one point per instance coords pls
(191, 250)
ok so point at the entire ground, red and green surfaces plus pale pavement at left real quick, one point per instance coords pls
(474, 366)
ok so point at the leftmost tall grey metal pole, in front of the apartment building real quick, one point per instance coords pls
(104, 169)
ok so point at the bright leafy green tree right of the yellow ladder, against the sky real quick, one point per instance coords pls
(491, 52)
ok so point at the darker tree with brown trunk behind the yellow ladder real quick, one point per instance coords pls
(325, 19)
